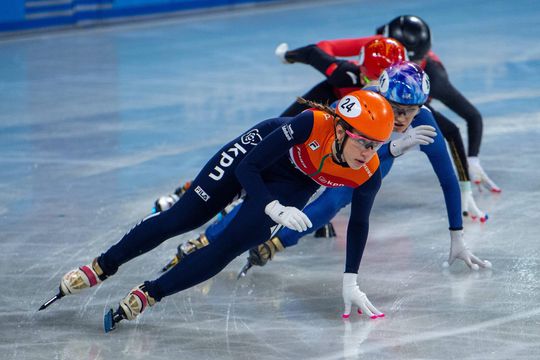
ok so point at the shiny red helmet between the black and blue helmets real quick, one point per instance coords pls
(379, 54)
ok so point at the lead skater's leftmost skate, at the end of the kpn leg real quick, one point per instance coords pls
(77, 280)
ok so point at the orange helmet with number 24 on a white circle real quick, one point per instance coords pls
(368, 113)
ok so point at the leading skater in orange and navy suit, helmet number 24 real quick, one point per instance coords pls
(279, 163)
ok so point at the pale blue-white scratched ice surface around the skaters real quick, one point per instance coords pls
(95, 124)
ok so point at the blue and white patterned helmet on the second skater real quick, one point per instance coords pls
(404, 83)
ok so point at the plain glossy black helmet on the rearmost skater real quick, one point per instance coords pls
(412, 32)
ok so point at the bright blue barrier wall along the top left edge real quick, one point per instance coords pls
(20, 15)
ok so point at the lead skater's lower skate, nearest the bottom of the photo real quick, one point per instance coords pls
(129, 308)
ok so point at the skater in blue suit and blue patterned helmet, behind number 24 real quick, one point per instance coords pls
(406, 87)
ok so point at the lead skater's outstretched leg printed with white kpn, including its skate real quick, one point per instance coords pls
(214, 188)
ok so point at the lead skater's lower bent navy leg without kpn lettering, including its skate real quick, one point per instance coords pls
(249, 227)
